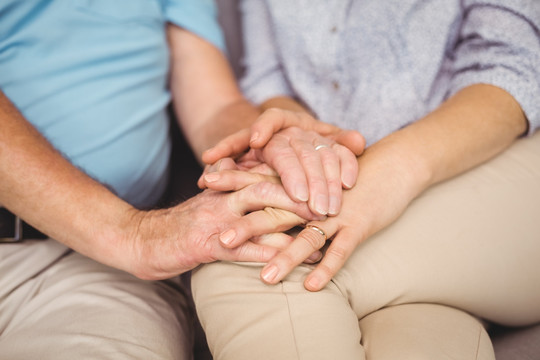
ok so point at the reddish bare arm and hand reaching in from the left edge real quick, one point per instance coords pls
(46, 190)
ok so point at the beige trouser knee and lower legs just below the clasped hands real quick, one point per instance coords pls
(245, 319)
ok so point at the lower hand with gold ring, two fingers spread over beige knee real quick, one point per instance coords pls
(385, 187)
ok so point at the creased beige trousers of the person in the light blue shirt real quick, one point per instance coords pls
(57, 304)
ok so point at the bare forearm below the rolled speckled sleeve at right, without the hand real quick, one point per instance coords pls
(471, 127)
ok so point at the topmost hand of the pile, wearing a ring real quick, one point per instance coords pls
(312, 167)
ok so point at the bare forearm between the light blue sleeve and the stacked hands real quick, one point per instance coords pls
(206, 98)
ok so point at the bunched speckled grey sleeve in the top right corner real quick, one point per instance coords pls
(499, 44)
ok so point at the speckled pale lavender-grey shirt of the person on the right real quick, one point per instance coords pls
(376, 66)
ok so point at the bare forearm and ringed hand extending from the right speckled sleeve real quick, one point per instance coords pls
(471, 127)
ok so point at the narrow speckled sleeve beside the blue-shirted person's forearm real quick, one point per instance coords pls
(264, 77)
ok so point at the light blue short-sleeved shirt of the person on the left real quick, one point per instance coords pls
(91, 75)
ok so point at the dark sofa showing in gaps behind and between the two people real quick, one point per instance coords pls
(509, 343)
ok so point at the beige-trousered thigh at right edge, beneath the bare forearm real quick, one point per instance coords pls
(470, 242)
